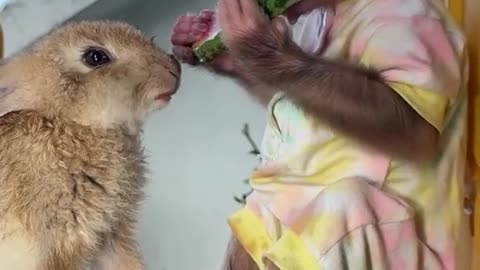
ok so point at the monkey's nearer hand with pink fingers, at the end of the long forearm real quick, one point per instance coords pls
(242, 22)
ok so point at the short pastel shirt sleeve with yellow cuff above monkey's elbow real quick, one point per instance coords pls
(417, 58)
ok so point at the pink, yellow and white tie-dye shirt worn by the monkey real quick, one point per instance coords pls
(321, 201)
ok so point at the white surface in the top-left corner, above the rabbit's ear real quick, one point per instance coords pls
(26, 20)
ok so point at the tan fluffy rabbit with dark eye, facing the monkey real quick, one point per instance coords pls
(71, 160)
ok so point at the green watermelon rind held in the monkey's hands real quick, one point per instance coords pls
(205, 50)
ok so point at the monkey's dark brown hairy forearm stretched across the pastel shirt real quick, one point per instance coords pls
(352, 100)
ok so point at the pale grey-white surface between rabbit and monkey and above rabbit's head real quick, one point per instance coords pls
(198, 155)
